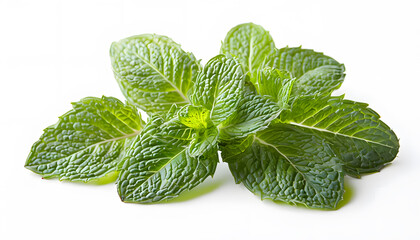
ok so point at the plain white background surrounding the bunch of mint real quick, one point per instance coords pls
(56, 52)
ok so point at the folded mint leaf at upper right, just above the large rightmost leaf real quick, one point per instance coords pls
(315, 73)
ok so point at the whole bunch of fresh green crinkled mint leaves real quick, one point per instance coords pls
(269, 111)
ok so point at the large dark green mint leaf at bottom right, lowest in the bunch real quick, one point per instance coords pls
(285, 164)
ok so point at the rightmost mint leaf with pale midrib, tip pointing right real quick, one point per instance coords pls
(357, 135)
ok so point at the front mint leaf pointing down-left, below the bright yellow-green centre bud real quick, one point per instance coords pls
(158, 167)
